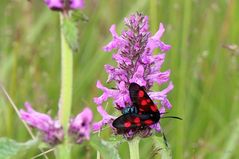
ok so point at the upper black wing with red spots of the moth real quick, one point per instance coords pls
(141, 100)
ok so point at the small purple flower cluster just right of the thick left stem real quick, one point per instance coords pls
(80, 126)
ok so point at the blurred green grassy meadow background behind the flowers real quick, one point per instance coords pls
(204, 61)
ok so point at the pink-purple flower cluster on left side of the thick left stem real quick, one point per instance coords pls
(51, 130)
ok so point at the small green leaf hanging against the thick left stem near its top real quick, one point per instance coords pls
(71, 33)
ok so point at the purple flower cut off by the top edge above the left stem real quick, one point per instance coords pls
(62, 5)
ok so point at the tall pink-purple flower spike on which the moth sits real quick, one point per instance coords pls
(136, 63)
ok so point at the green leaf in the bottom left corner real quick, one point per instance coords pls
(10, 149)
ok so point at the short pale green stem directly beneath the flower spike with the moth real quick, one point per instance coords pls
(134, 148)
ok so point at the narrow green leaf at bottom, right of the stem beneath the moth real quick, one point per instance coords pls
(161, 147)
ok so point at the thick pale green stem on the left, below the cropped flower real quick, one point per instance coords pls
(63, 151)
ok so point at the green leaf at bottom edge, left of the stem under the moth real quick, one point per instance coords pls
(107, 149)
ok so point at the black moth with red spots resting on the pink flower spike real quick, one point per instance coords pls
(142, 113)
